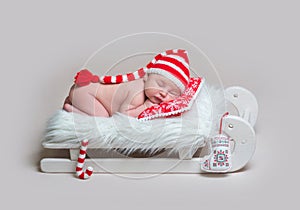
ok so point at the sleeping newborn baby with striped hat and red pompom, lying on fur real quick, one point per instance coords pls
(163, 79)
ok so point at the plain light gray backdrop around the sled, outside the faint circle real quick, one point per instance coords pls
(254, 44)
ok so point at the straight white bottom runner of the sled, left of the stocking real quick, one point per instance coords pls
(124, 165)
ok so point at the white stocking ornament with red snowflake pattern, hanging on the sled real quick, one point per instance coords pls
(220, 158)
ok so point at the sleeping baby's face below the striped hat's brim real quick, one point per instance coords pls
(160, 89)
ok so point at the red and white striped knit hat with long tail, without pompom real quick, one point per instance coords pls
(173, 64)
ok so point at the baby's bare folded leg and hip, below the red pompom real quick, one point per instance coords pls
(83, 101)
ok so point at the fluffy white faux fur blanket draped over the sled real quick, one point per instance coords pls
(189, 131)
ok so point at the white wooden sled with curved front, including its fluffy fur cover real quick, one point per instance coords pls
(123, 145)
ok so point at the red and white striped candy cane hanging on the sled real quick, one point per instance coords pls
(83, 174)
